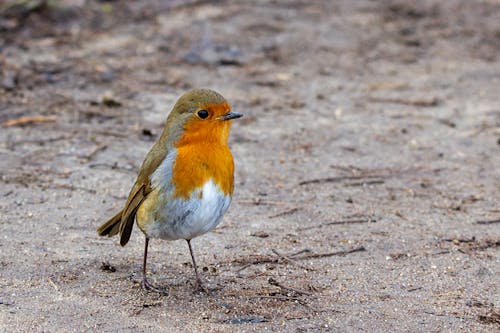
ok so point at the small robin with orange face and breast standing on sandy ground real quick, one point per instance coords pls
(185, 183)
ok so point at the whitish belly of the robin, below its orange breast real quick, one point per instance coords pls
(187, 218)
